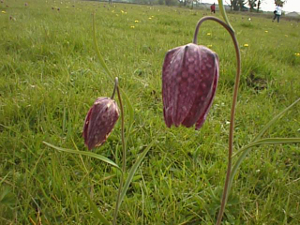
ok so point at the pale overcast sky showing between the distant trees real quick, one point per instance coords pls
(268, 5)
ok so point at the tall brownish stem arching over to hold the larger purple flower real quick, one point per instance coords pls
(234, 100)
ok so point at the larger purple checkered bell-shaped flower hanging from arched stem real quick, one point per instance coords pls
(189, 80)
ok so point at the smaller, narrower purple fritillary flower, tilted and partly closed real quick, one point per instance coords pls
(100, 121)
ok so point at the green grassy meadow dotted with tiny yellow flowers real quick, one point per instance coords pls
(50, 76)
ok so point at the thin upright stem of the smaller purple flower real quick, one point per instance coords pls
(123, 153)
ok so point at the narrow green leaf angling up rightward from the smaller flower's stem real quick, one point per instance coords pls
(133, 170)
